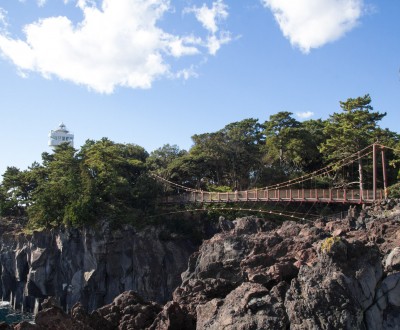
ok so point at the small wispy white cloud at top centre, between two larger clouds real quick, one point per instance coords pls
(210, 18)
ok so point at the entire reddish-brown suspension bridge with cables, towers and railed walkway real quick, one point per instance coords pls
(289, 191)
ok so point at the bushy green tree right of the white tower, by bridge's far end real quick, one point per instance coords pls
(110, 173)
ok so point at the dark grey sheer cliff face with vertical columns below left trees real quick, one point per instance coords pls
(81, 265)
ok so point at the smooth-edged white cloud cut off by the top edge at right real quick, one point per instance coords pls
(313, 23)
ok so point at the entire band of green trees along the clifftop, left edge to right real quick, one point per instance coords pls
(112, 181)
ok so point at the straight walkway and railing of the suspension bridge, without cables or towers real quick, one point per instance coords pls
(350, 196)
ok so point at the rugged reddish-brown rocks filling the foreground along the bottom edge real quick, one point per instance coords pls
(259, 274)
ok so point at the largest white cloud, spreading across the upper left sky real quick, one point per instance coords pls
(118, 43)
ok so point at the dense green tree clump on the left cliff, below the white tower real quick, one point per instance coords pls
(104, 180)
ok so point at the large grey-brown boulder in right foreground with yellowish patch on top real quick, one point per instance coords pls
(336, 291)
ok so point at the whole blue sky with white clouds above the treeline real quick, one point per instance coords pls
(152, 72)
